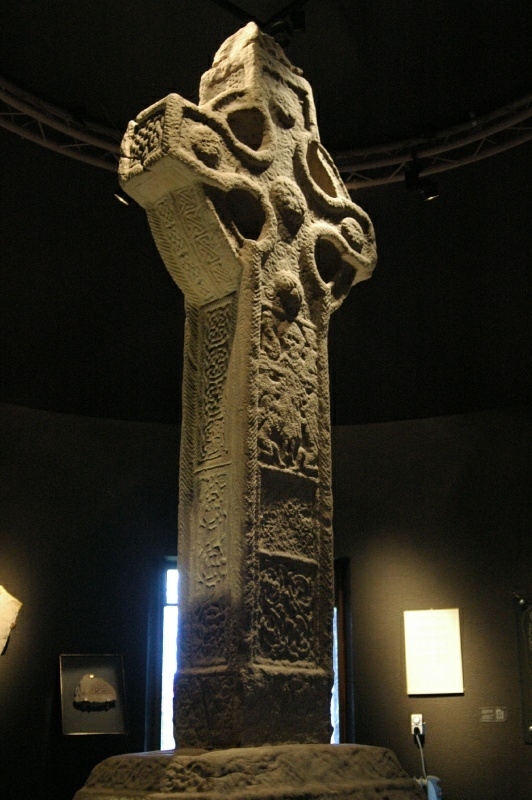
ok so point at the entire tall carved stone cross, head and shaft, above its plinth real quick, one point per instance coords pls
(255, 226)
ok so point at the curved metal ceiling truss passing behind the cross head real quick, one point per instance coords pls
(476, 139)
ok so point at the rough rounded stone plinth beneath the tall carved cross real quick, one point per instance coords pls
(289, 772)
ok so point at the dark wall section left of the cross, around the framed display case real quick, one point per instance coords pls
(88, 512)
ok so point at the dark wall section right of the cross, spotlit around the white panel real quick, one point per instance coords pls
(435, 513)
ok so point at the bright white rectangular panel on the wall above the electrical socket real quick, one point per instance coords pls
(433, 652)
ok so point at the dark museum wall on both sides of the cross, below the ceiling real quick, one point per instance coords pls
(431, 513)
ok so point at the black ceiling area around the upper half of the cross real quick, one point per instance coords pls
(92, 324)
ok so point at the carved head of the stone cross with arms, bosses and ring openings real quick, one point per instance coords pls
(243, 175)
